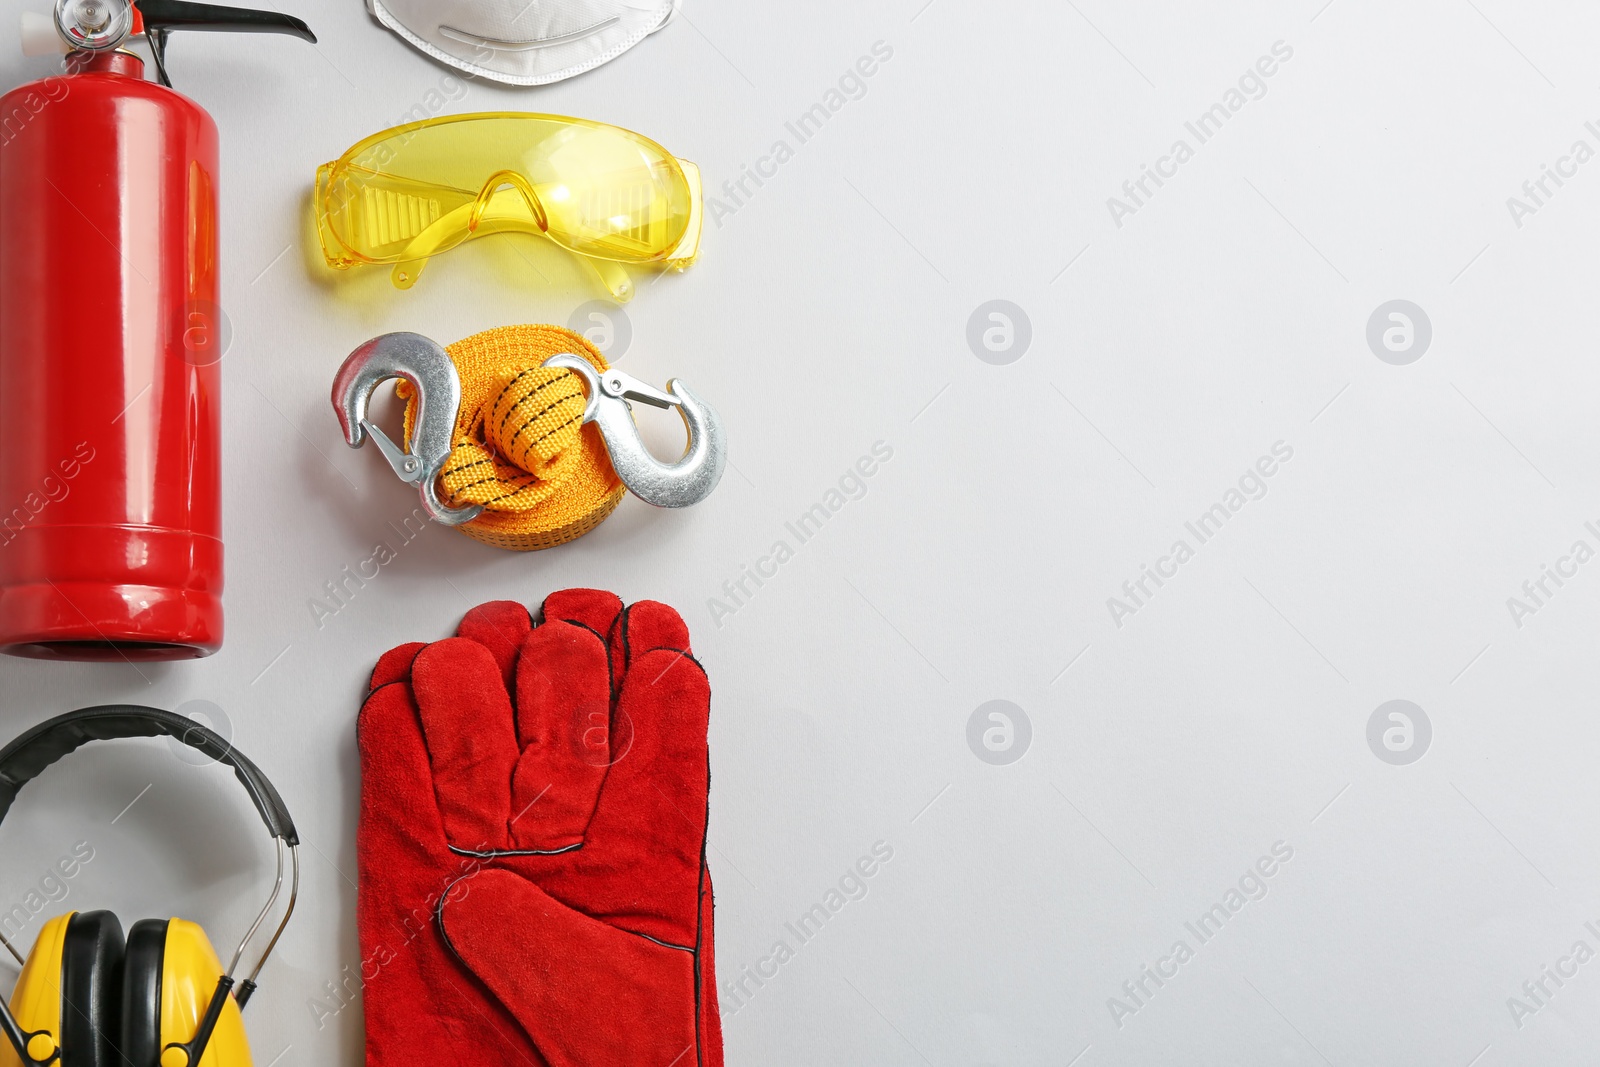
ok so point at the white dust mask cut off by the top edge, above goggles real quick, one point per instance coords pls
(524, 42)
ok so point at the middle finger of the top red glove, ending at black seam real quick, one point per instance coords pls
(564, 725)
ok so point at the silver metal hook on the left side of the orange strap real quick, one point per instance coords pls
(431, 374)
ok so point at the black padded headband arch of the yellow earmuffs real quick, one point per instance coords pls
(26, 757)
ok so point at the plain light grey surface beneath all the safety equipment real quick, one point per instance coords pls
(1169, 354)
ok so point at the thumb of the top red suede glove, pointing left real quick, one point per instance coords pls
(588, 994)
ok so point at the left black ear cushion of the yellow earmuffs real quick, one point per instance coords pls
(92, 991)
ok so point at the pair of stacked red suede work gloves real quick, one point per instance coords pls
(534, 884)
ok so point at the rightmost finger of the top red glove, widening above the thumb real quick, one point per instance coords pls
(641, 863)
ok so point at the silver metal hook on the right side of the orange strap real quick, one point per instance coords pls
(692, 479)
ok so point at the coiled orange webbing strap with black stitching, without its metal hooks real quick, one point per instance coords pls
(521, 446)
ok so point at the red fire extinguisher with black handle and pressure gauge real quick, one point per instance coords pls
(111, 340)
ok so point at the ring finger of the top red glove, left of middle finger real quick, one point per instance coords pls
(471, 741)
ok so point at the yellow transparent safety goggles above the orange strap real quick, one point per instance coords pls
(417, 191)
